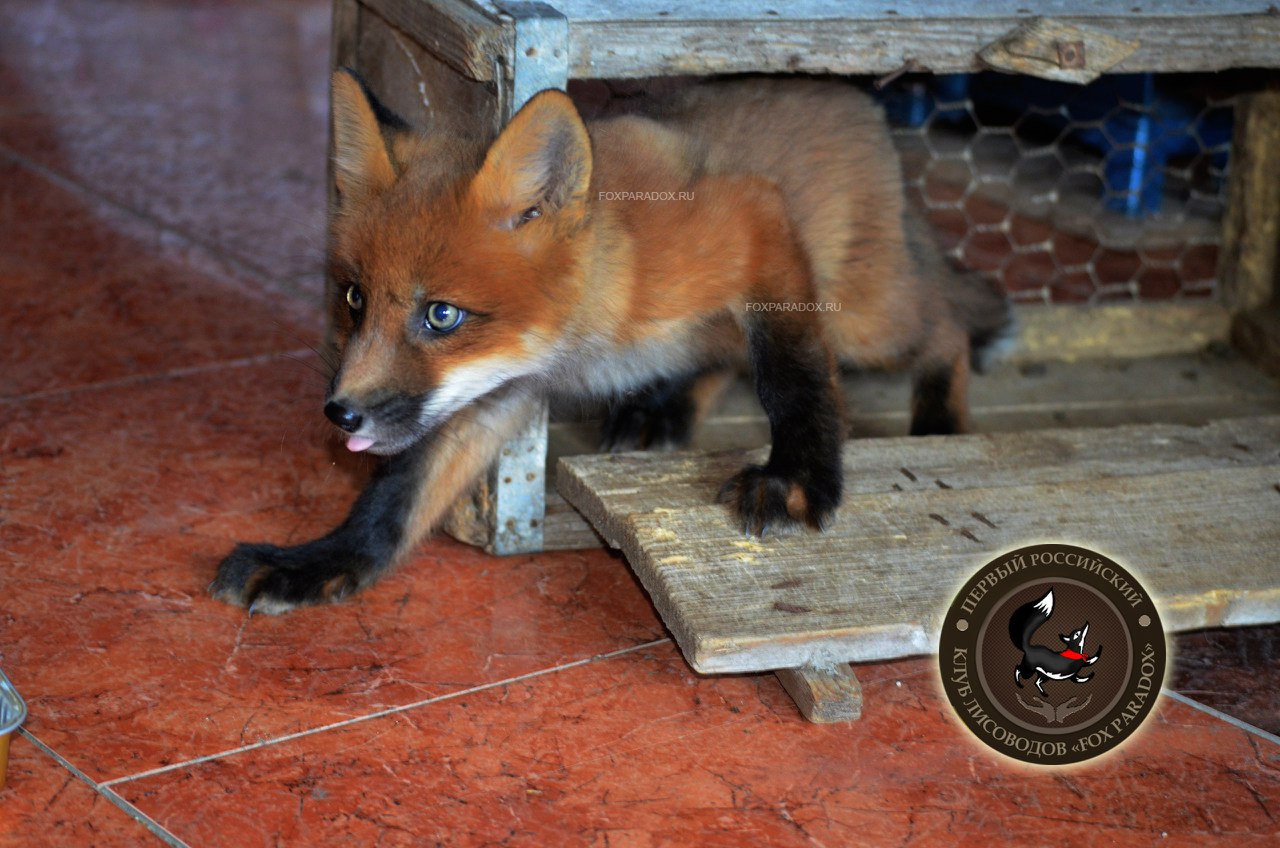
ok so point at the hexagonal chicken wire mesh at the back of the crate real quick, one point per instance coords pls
(1069, 194)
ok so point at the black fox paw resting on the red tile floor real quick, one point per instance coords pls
(272, 580)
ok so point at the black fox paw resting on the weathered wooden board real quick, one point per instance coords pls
(770, 501)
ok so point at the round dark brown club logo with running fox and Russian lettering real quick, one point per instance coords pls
(1053, 654)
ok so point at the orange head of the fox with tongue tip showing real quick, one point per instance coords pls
(454, 263)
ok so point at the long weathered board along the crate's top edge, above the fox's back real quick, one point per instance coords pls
(661, 38)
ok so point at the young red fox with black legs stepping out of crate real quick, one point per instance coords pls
(642, 254)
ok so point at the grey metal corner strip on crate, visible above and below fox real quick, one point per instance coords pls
(518, 482)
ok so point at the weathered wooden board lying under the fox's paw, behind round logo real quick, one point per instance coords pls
(1194, 512)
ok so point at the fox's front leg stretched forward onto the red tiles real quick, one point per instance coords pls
(406, 500)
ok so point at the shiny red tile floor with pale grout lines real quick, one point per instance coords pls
(161, 252)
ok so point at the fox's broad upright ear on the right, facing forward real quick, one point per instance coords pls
(542, 159)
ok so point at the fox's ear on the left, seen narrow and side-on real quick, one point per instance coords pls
(362, 163)
